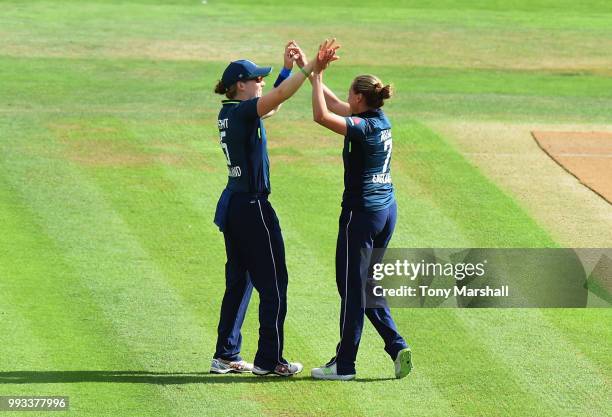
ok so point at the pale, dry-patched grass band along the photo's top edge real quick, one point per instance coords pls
(471, 37)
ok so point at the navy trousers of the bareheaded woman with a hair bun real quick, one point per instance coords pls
(361, 230)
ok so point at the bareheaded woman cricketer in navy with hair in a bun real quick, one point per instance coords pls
(368, 216)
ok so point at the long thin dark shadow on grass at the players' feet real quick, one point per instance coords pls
(144, 377)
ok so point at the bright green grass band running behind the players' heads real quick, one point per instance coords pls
(126, 85)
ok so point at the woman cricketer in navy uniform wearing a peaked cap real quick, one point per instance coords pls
(253, 240)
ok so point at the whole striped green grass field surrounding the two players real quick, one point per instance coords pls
(111, 270)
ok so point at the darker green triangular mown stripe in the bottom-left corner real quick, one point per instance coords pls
(56, 338)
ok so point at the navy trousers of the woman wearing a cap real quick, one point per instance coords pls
(255, 258)
